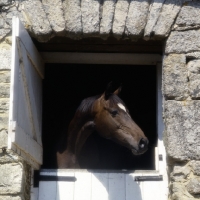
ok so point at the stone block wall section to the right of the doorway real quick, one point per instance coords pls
(181, 89)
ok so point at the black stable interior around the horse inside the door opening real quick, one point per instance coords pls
(66, 85)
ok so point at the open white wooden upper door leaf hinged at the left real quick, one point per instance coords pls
(25, 112)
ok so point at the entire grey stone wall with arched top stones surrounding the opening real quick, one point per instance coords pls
(175, 21)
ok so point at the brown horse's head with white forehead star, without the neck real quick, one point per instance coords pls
(113, 121)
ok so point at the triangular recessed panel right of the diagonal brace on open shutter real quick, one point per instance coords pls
(33, 91)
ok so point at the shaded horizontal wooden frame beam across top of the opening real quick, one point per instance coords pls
(101, 58)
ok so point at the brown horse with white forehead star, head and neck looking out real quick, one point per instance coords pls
(109, 117)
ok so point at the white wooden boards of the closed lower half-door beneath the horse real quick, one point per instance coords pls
(104, 186)
